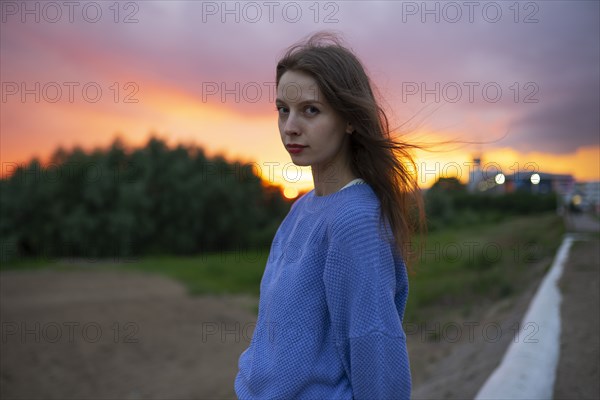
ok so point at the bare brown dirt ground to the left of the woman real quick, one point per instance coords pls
(103, 335)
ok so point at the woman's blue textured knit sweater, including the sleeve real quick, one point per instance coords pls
(331, 304)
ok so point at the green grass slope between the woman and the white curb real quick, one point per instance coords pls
(484, 263)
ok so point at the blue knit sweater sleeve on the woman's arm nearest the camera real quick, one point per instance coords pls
(362, 292)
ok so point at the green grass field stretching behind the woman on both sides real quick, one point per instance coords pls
(456, 268)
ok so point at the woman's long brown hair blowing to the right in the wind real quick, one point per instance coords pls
(384, 162)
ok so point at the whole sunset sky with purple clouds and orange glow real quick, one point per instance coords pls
(523, 78)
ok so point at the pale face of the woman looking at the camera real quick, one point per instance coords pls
(306, 119)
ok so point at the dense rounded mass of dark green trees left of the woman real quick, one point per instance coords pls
(149, 200)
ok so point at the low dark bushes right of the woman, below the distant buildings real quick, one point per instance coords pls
(448, 203)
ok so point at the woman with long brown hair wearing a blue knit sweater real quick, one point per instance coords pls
(334, 289)
